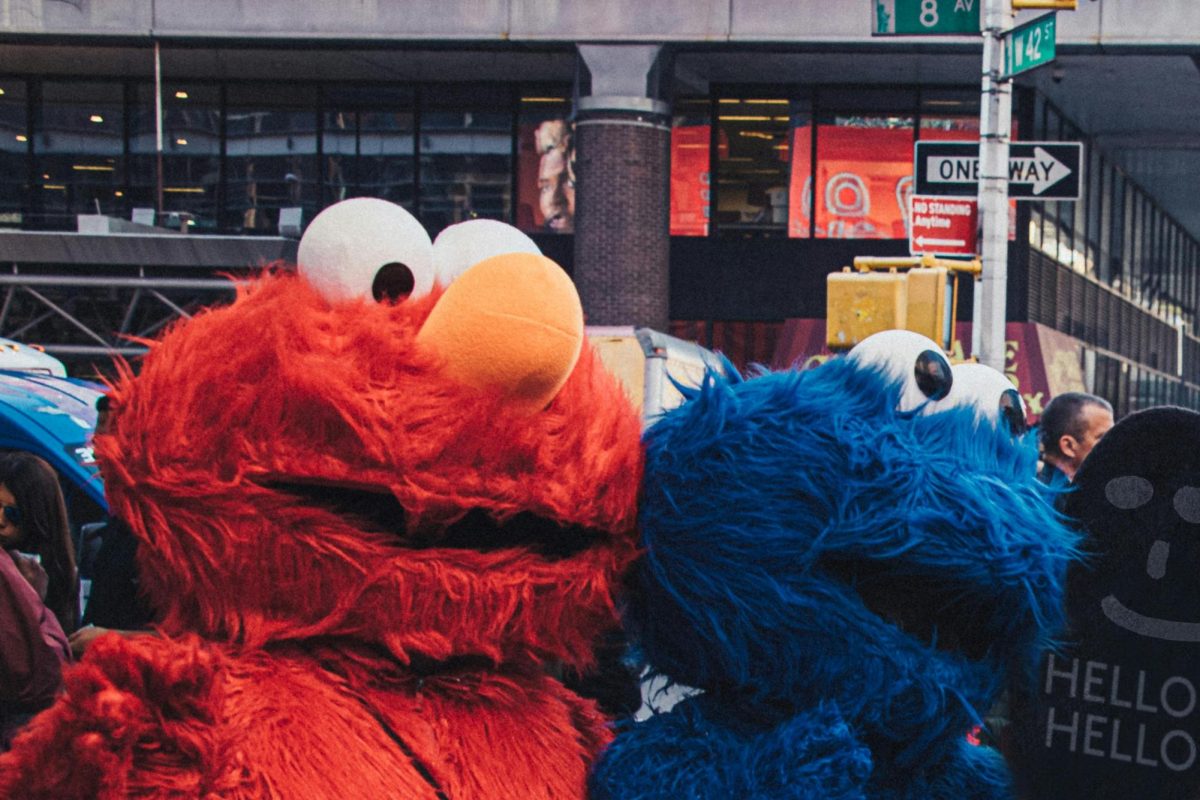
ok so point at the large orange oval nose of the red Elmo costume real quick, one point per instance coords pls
(512, 323)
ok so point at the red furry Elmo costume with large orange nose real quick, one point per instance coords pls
(375, 516)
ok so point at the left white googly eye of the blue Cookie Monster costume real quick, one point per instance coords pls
(910, 358)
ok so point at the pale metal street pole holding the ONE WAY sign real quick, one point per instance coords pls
(995, 125)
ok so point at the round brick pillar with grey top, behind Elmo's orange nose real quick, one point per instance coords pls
(622, 240)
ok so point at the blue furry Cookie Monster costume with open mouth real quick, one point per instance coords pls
(850, 564)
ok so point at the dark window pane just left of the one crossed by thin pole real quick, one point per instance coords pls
(80, 146)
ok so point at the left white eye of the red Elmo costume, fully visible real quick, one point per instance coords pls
(367, 248)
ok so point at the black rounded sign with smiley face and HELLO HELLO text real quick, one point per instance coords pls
(1117, 709)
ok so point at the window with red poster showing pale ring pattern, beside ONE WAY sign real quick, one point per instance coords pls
(865, 176)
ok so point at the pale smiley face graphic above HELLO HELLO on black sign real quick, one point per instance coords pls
(1131, 492)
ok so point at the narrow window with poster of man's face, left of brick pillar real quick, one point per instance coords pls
(547, 164)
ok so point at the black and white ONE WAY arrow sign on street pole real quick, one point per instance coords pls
(1037, 171)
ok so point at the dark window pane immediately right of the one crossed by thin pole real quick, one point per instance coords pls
(271, 155)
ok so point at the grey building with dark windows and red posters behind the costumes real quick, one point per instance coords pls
(697, 166)
